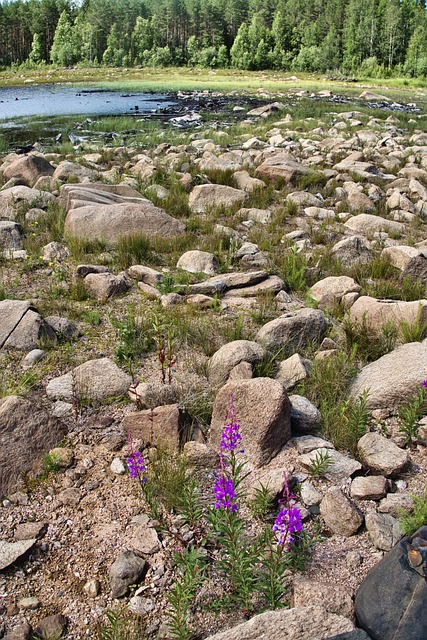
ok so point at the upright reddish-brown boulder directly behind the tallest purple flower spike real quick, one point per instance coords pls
(263, 408)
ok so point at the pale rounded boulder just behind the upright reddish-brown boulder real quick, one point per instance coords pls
(230, 355)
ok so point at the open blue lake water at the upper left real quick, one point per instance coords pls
(58, 100)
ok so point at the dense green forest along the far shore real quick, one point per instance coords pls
(377, 38)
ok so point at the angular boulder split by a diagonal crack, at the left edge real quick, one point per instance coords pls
(21, 326)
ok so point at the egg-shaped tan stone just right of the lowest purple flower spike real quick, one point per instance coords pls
(339, 513)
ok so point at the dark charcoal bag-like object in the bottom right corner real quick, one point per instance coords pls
(391, 601)
